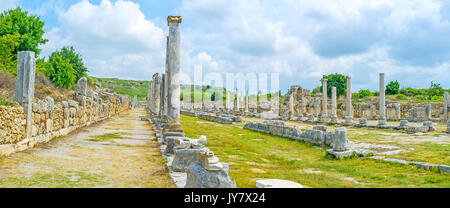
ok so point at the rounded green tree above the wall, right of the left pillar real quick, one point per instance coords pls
(60, 71)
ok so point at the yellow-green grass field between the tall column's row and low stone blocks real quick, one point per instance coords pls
(252, 156)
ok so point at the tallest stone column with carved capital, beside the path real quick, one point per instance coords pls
(174, 70)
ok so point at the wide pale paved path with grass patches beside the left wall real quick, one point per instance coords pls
(118, 152)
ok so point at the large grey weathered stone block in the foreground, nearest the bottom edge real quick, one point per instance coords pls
(199, 177)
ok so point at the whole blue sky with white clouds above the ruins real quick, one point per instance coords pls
(409, 40)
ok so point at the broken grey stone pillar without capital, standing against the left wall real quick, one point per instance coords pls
(24, 93)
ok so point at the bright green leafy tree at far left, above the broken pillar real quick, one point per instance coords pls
(29, 29)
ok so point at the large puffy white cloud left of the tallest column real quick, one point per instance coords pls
(115, 39)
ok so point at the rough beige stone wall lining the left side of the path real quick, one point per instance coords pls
(51, 119)
